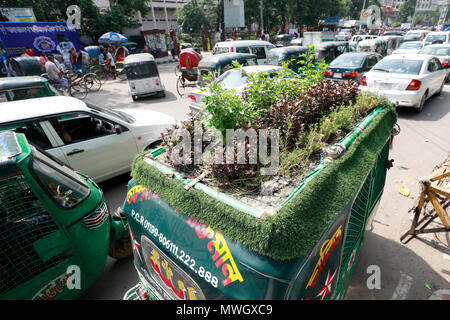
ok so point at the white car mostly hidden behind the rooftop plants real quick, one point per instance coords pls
(234, 80)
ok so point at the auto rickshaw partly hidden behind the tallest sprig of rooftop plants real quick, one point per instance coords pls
(292, 55)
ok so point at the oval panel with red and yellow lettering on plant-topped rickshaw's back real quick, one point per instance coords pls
(168, 275)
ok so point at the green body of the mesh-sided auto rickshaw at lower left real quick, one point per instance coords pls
(61, 237)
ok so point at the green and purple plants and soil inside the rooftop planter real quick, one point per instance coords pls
(309, 113)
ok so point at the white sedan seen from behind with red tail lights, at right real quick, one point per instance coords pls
(406, 80)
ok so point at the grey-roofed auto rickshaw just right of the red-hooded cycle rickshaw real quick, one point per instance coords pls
(217, 64)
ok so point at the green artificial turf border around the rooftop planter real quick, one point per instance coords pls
(298, 225)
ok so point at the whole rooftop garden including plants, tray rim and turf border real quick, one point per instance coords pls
(279, 199)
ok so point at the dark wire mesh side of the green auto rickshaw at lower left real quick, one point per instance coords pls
(24, 221)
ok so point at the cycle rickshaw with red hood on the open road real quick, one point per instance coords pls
(188, 65)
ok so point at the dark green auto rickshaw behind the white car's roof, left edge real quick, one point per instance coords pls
(25, 87)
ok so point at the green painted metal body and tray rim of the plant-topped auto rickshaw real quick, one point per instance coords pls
(179, 257)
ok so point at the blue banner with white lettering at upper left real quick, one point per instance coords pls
(38, 36)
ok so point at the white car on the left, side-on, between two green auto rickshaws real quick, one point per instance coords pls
(98, 142)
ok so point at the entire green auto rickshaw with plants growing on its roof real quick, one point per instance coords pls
(267, 197)
